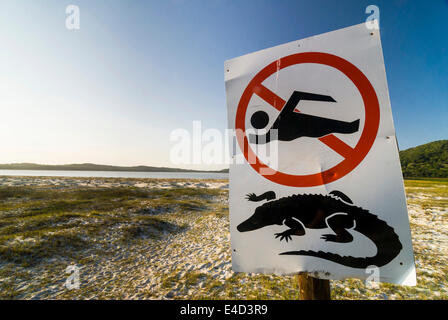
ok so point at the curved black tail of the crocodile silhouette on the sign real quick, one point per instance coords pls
(383, 236)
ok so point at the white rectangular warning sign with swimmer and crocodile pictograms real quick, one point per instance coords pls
(316, 183)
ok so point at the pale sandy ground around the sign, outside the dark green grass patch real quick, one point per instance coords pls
(196, 263)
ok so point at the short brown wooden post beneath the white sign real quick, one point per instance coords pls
(312, 288)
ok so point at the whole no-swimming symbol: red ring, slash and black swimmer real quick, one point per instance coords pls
(323, 128)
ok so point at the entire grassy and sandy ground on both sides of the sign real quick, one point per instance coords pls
(173, 243)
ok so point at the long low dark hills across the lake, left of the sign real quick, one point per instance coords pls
(94, 167)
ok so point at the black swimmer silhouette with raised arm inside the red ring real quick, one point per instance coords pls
(291, 125)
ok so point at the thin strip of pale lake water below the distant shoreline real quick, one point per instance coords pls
(115, 174)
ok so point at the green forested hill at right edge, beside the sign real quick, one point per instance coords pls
(426, 160)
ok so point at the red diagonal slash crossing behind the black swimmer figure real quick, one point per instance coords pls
(330, 141)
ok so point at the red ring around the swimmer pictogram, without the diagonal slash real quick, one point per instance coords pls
(372, 119)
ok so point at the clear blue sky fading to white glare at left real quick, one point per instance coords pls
(113, 91)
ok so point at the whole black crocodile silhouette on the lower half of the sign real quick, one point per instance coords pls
(336, 211)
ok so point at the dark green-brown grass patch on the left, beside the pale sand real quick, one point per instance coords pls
(39, 223)
